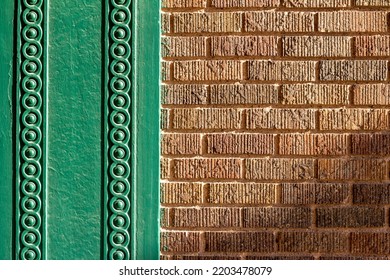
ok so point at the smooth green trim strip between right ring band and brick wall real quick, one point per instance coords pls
(146, 132)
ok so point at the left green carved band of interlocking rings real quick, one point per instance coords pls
(30, 129)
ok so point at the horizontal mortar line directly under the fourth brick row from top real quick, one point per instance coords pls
(273, 82)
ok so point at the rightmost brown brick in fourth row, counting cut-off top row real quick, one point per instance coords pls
(353, 70)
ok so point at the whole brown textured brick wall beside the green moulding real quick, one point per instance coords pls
(275, 120)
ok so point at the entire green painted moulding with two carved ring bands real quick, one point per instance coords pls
(79, 129)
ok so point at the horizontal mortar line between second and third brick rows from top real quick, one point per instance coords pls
(243, 33)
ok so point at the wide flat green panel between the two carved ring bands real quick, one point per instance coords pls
(75, 159)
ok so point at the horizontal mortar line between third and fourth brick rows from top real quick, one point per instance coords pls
(243, 59)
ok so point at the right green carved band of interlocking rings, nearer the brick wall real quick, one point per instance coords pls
(118, 67)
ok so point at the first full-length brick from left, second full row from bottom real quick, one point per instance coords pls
(216, 217)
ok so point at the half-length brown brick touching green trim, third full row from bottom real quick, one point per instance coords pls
(181, 193)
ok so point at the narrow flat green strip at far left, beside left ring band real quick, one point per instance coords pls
(6, 133)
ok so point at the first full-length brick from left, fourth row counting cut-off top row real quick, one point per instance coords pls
(201, 70)
